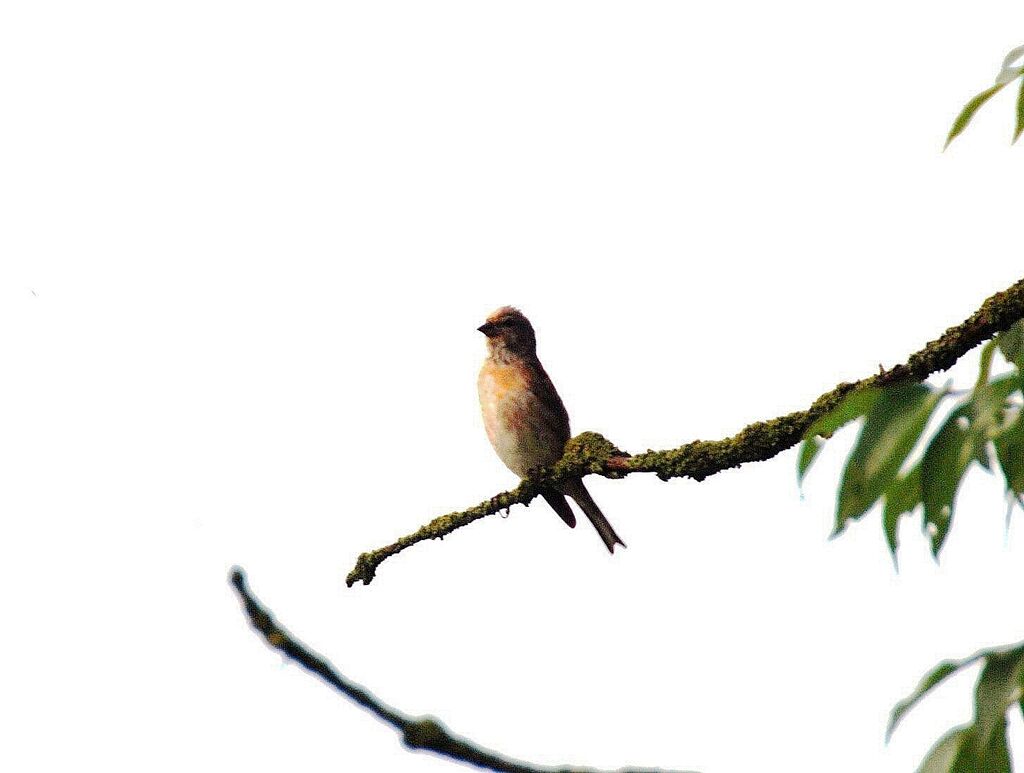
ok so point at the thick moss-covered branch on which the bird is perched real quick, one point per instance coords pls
(590, 454)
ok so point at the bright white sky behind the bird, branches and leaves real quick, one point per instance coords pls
(245, 248)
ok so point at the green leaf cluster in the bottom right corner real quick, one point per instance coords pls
(980, 747)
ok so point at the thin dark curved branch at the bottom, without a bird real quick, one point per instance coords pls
(417, 733)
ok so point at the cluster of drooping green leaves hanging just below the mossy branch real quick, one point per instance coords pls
(986, 419)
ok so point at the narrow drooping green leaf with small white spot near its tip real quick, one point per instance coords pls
(943, 467)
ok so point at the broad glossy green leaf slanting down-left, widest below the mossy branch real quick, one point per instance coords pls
(893, 426)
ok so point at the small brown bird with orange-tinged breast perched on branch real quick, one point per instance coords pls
(525, 418)
